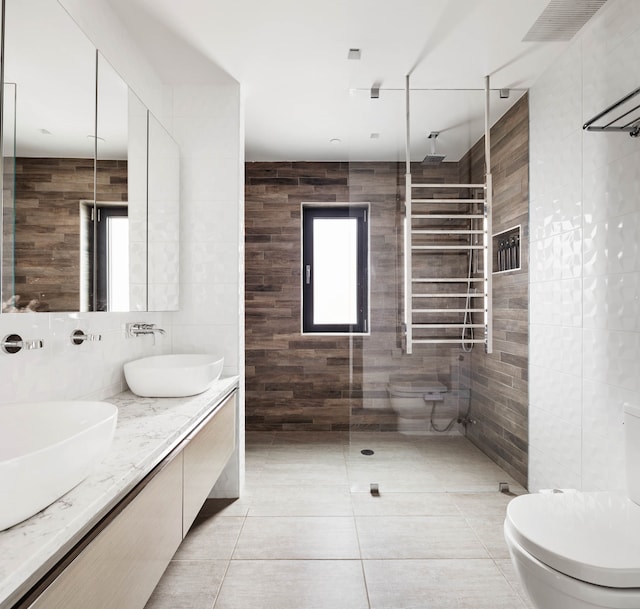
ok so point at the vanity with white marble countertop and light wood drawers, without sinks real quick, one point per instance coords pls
(107, 541)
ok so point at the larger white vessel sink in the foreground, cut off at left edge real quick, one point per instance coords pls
(47, 448)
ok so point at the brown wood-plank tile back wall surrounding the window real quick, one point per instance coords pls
(316, 382)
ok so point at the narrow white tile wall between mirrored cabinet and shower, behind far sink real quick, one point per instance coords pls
(208, 127)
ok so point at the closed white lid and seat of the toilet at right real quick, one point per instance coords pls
(592, 537)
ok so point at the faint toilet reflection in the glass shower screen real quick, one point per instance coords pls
(412, 397)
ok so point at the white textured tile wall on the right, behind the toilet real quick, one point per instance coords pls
(585, 263)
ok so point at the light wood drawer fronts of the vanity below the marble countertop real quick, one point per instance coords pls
(119, 566)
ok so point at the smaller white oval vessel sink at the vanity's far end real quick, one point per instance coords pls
(172, 376)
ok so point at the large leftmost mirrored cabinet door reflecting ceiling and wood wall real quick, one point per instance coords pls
(52, 171)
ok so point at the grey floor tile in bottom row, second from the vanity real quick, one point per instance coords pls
(298, 584)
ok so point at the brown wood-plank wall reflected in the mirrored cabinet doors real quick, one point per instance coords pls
(47, 225)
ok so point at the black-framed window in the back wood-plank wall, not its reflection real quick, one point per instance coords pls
(335, 277)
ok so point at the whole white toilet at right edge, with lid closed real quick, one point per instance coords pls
(574, 550)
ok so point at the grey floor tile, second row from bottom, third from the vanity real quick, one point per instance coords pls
(404, 537)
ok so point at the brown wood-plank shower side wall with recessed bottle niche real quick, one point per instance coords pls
(499, 382)
